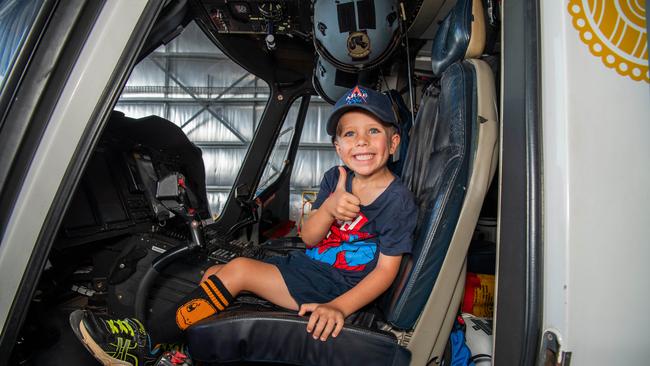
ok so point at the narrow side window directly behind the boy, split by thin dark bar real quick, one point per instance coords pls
(315, 155)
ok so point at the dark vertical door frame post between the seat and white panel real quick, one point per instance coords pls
(519, 296)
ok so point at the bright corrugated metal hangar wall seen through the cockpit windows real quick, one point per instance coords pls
(218, 105)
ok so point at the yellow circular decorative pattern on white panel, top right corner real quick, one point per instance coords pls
(615, 31)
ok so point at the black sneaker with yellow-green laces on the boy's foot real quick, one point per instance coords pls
(113, 341)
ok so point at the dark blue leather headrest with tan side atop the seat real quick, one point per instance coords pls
(460, 35)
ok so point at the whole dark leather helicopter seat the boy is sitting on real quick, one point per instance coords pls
(450, 162)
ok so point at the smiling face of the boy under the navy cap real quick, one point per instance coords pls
(363, 143)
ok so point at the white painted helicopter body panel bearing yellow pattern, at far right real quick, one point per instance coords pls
(596, 121)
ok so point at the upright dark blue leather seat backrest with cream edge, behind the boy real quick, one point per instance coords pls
(450, 162)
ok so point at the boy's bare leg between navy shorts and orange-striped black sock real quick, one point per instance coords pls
(262, 279)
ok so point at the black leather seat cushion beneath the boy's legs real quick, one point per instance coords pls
(282, 337)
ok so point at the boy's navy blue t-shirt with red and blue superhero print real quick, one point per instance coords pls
(386, 225)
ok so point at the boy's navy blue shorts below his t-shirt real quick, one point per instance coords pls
(309, 280)
